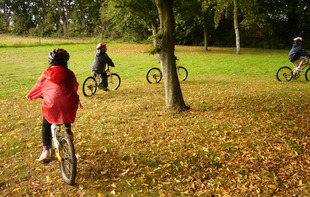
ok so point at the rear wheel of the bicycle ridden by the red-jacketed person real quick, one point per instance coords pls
(68, 160)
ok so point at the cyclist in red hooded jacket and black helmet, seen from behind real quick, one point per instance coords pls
(59, 87)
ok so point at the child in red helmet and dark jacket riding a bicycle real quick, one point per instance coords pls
(99, 64)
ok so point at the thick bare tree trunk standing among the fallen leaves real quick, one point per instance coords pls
(174, 98)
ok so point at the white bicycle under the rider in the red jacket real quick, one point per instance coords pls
(65, 154)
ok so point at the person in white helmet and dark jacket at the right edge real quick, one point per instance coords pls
(298, 55)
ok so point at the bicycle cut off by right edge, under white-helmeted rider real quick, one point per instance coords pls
(285, 73)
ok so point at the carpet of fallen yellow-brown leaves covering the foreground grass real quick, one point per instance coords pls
(241, 139)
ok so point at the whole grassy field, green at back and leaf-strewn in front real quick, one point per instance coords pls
(246, 134)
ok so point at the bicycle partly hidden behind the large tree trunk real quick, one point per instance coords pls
(154, 75)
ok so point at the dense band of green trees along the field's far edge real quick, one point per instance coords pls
(264, 24)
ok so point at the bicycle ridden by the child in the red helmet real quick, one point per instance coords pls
(91, 84)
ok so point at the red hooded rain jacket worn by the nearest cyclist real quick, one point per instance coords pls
(59, 87)
